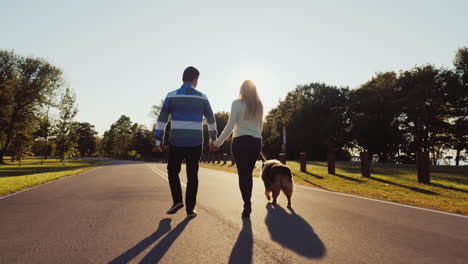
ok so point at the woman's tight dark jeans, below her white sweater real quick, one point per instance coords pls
(246, 150)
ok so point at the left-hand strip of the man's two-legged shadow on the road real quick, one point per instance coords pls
(127, 256)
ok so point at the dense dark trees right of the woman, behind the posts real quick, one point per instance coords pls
(392, 116)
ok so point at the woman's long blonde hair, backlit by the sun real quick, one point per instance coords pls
(248, 94)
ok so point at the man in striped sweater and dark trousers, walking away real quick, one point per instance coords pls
(187, 107)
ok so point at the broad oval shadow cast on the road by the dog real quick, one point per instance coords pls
(291, 231)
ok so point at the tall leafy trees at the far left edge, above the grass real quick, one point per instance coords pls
(29, 88)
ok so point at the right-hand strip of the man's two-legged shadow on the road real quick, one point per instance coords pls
(158, 251)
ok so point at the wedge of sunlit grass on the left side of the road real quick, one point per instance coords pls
(31, 173)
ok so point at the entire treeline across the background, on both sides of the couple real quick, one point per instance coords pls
(392, 116)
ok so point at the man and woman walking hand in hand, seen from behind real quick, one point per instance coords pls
(187, 107)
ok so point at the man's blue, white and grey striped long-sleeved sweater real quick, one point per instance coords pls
(186, 106)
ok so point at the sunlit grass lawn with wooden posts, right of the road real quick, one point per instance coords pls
(448, 190)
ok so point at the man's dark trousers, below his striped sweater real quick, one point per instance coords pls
(192, 158)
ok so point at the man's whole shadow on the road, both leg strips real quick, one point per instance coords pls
(158, 251)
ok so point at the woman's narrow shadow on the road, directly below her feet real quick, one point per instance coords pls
(242, 251)
